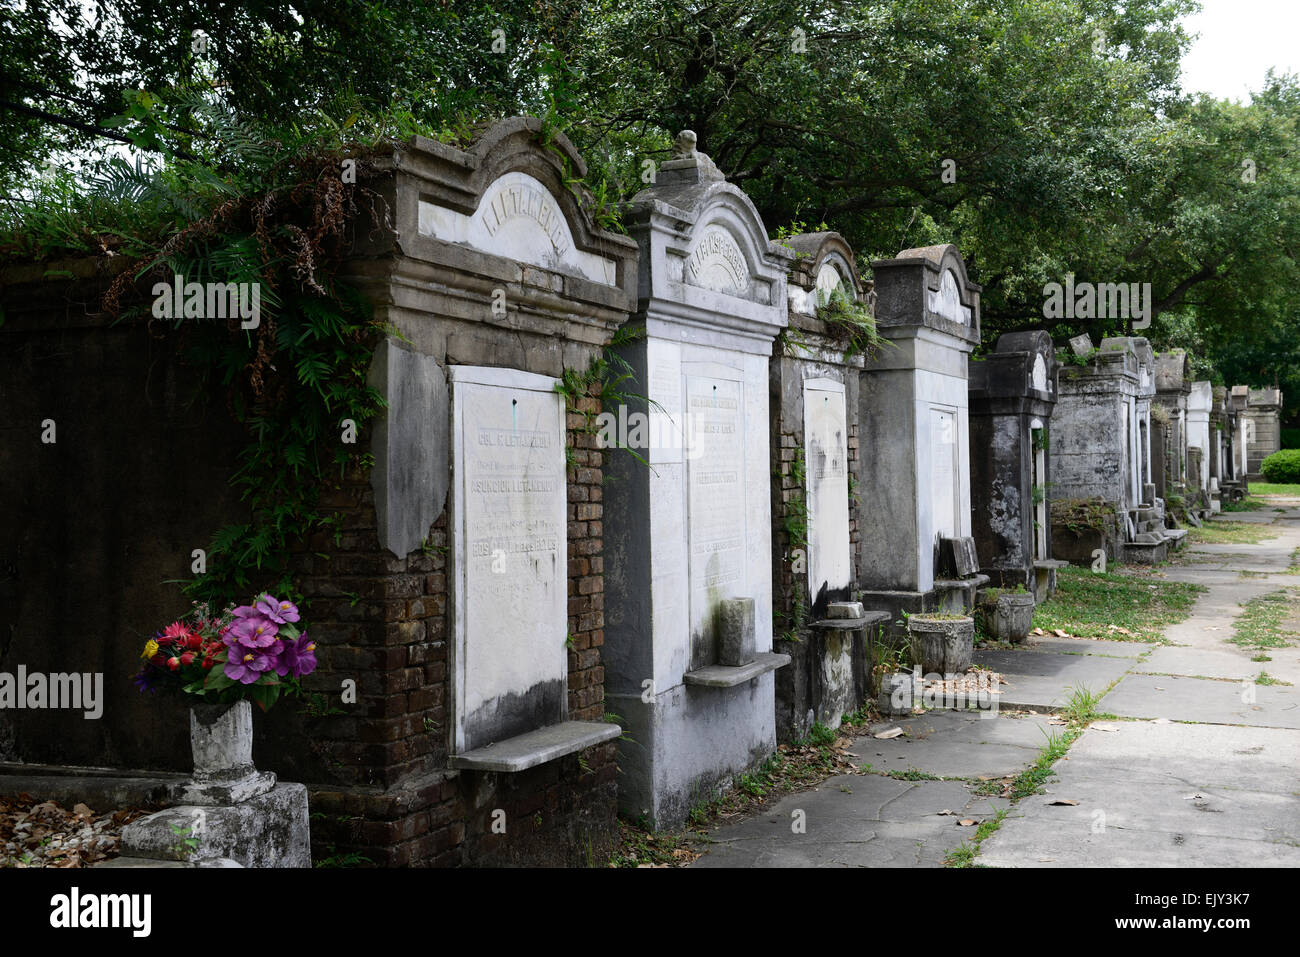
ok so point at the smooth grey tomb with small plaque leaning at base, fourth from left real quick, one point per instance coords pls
(913, 417)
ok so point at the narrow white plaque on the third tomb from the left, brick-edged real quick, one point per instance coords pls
(827, 475)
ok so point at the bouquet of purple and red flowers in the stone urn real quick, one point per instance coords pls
(254, 652)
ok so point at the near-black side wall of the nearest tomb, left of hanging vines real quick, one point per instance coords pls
(94, 525)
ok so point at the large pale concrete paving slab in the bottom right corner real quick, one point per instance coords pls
(1162, 796)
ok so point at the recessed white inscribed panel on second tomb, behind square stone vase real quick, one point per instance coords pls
(716, 504)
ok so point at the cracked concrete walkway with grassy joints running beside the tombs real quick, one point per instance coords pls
(1201, 769)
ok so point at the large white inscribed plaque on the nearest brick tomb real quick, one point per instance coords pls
(509, 555)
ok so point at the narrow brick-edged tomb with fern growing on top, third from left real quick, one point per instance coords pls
(814, 445)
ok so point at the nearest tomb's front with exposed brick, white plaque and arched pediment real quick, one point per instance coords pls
(491, 532)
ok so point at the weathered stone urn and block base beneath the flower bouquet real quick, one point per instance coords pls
(229, 811)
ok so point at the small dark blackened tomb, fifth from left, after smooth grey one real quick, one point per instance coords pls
(1012, 397)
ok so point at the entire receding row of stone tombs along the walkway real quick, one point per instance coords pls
(716, 540)
